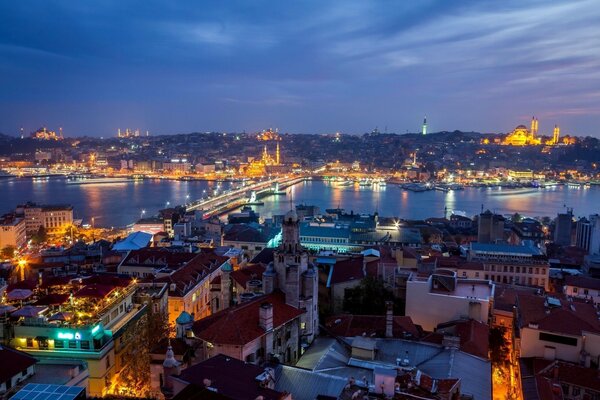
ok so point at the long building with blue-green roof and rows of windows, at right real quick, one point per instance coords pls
(520, 265)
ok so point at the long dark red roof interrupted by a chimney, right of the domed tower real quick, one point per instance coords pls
(348, 325)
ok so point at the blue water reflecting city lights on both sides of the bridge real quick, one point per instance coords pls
(121, 204)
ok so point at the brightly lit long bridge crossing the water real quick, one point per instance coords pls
(232, 199)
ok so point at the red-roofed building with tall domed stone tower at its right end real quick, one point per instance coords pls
(275, 325)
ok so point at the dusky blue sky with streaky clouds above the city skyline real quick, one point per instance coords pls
(303, 66)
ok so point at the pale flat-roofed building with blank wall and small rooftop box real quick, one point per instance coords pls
(442, 297)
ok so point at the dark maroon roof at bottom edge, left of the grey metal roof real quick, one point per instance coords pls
(232, 378)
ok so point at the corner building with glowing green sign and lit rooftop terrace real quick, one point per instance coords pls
(95, 323)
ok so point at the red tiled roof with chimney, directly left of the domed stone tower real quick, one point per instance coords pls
(240, 325)
